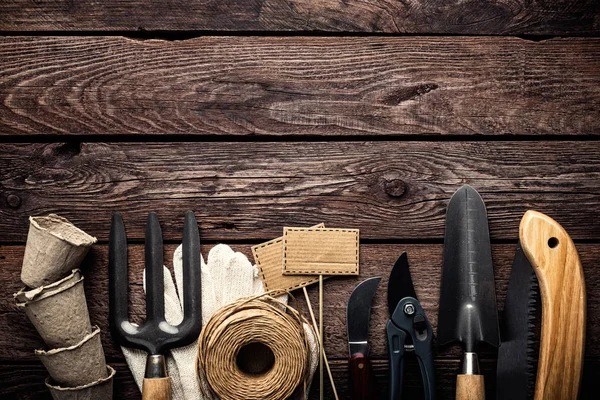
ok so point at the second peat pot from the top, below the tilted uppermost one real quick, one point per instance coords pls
(58, 311)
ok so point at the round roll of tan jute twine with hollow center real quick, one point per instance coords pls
(263, 320)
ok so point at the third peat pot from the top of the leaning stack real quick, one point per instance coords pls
(76, 365)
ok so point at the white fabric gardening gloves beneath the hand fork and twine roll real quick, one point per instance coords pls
(226, 277)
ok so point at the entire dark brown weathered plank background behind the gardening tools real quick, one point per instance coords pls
(258, 114)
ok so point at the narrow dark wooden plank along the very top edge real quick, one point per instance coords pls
(413, 16)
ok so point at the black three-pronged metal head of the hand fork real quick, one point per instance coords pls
(155, 335)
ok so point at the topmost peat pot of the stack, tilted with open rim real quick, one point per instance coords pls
(54, 247)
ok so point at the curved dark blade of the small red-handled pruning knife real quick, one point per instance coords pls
(358, 314)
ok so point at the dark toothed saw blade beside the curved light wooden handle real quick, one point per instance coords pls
(515, 378)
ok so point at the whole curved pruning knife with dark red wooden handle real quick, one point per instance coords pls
(357, 320)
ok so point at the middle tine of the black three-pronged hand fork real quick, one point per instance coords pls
(155, 300)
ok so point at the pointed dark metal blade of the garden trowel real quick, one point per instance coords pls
(467, 312)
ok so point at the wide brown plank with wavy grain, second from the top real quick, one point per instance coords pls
(299, 86)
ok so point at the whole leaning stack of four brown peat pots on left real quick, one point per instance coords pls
(54, 301)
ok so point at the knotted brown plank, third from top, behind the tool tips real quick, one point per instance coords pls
(247, 191)
